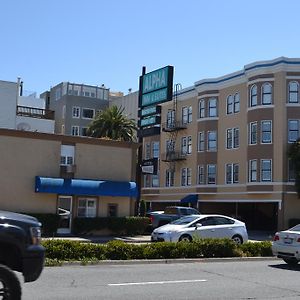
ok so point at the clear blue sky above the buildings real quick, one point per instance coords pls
(108, 41)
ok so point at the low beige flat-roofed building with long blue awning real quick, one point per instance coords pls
(71, 176)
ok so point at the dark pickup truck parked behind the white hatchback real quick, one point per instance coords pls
(171, 213)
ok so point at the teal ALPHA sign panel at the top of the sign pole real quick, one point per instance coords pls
(156, 87)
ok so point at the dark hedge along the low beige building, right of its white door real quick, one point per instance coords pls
(116, 225)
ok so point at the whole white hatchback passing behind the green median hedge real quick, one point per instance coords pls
(201, 226)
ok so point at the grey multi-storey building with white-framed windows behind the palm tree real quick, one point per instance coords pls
(75, 106)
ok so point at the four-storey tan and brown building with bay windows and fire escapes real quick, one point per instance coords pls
(224, 141)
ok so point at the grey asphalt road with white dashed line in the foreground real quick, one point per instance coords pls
(230, 279)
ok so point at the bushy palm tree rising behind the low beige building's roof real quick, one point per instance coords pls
(111, 123)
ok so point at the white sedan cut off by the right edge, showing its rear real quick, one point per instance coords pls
(286, 245)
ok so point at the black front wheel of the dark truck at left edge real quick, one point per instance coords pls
(10, 287)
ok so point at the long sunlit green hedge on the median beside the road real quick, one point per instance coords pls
(64, 250)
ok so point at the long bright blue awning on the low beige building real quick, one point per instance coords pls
(85, 187)
